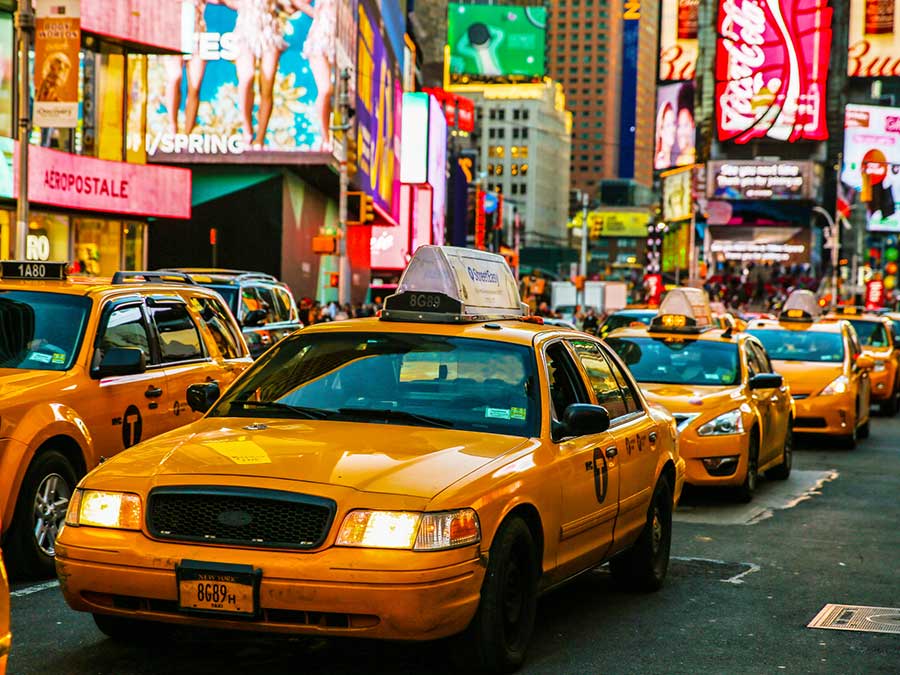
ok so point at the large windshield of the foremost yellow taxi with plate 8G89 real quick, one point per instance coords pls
(425, 380)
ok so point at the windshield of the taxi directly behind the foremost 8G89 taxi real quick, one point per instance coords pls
(679, 361)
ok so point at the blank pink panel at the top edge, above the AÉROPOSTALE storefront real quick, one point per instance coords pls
(149, 22)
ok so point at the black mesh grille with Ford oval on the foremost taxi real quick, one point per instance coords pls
(242, 516)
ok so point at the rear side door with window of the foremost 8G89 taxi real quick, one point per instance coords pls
(633, 437)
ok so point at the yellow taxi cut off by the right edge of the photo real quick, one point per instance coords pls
(876, 335)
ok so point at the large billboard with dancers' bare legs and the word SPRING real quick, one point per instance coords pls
(256, 82)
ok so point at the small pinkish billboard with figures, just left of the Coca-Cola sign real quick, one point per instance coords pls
(675, 128)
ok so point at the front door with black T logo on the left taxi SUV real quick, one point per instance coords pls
(123, 410)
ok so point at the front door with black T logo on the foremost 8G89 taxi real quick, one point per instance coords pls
(589, 476)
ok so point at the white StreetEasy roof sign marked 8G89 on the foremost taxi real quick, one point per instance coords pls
(447, 284)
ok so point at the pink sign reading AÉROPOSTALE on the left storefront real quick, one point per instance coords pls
(70, 181)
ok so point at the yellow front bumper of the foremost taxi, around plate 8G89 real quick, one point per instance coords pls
(394, 595)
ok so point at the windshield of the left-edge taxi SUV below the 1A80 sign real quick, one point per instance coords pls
(41, 331)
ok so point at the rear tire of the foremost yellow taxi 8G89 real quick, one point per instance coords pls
(643, 567)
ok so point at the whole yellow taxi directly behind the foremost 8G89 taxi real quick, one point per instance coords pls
(733, 411)
